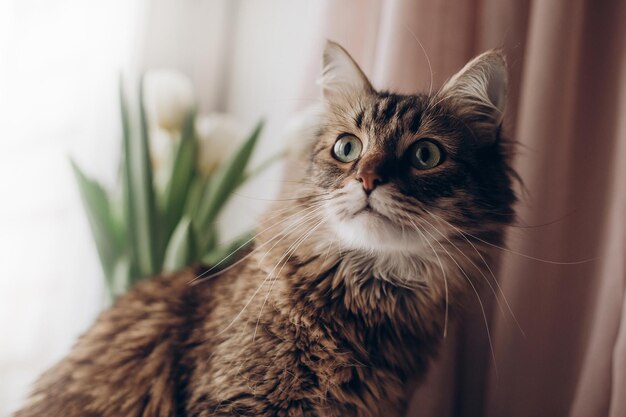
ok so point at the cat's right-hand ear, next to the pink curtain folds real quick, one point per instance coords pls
(479, 90)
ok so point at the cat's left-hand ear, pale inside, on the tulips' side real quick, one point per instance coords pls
(341, 76)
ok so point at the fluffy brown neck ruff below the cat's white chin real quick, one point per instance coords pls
(357, 278)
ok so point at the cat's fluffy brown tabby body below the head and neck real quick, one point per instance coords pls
(170, 348)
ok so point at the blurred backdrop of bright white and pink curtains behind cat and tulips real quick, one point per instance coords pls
(564, 276)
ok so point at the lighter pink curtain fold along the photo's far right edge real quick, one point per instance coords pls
(603, 377)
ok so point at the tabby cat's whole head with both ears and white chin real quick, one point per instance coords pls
(402, 172)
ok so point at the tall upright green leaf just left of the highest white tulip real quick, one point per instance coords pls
(140, 211)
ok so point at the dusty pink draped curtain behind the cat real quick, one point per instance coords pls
(567, 108)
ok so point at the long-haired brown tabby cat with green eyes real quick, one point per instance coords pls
(347, 291)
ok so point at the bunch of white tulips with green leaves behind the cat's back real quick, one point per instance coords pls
(177, 171)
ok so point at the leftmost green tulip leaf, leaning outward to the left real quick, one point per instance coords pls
(106, 233)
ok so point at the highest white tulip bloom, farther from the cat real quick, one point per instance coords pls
(169, 99)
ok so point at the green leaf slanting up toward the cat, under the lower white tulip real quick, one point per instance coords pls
(226, 179)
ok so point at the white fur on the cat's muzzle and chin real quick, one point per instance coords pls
(369, 231)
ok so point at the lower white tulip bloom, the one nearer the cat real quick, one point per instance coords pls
(219, 136)
